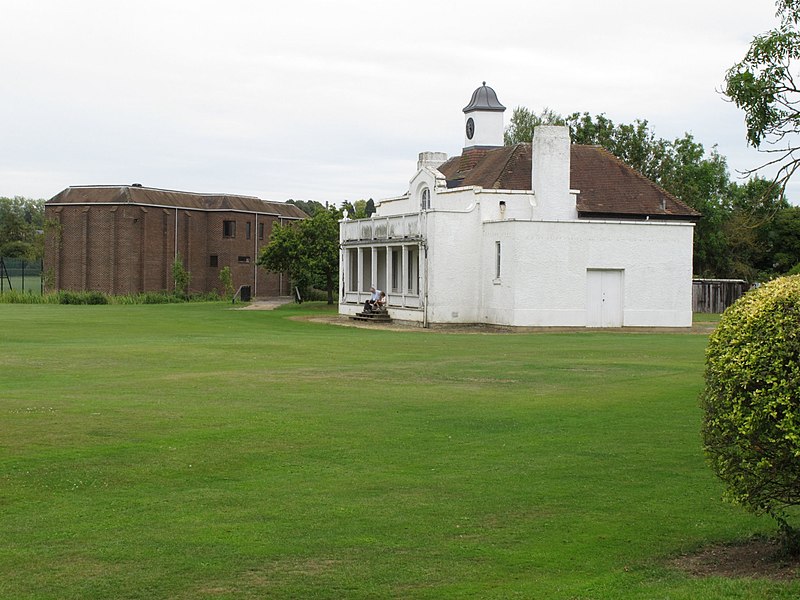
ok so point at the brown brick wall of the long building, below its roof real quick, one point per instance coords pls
(126, 249)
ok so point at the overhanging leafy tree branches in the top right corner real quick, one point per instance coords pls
(763, 85)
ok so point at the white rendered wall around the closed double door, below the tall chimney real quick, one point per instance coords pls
(543, 279)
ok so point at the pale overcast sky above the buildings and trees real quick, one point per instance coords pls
(333, 101)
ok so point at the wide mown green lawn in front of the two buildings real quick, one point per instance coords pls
(193, 451)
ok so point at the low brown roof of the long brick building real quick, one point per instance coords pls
(130, 194)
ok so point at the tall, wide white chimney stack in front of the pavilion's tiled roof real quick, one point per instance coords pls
(550, 174)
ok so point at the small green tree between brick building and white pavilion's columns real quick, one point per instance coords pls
(308, 250)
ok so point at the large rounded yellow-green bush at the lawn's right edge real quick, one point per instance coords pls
(751, 425)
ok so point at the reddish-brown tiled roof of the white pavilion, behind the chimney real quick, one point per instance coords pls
(608, 187)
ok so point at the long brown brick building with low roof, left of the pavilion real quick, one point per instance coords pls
(124, 239)
